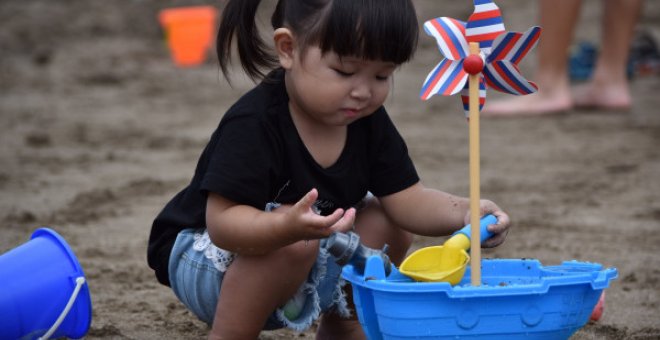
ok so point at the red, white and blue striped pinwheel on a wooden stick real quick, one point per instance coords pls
(478, 54)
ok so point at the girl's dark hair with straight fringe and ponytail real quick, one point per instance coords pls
(384, 30)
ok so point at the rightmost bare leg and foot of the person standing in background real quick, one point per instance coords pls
(609, 85)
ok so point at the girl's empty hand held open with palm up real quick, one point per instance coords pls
(305, 224)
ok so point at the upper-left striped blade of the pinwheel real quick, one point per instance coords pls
(450, 35)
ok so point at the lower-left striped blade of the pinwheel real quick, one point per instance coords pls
(447, 78)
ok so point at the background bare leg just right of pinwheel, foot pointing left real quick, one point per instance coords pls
(558, 20)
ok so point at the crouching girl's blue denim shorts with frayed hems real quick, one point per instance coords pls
(197, 267)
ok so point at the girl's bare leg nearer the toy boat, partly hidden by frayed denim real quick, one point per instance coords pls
(375, 230)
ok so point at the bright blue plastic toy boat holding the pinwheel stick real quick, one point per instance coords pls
(518, 299)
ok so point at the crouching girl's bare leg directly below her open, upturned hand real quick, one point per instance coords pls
(254, 286)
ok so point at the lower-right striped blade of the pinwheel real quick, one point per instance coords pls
(504, 76)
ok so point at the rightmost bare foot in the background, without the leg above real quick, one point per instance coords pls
(602, 96)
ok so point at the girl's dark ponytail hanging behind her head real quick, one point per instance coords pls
(238, 21)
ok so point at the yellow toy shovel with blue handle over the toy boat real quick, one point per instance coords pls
(445, 263)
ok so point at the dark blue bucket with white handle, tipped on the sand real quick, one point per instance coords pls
(43, 292)
